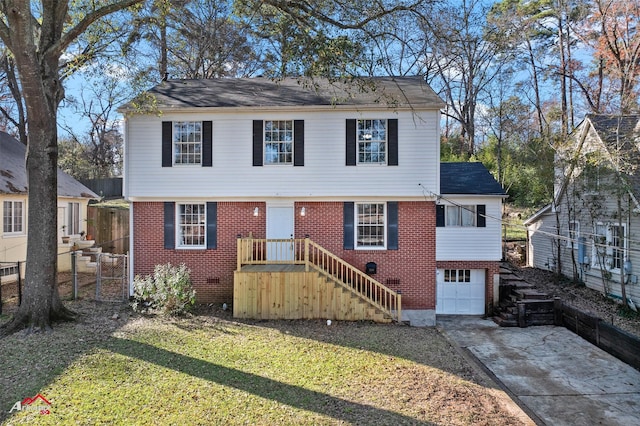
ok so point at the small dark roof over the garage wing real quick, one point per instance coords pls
(468, 179)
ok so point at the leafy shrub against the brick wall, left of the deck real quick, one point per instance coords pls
(168, 291)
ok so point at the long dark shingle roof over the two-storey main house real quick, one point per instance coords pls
(390, 92)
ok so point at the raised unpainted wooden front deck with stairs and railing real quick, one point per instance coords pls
(298, 279)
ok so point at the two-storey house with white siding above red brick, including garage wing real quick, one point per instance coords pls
(219, 164)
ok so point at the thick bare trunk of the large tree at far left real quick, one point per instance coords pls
(41, 302)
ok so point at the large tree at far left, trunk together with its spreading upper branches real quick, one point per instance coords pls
(37, 36)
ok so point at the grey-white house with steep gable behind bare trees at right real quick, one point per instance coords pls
(591, 231)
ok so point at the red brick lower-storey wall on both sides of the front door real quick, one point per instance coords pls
(410, 269)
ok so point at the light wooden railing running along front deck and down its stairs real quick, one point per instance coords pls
(259, 251)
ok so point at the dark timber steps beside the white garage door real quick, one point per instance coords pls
(521, 304)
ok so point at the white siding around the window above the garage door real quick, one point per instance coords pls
(472, 243)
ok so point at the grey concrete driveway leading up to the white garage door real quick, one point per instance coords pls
(555, 376)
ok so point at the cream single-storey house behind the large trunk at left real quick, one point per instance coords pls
(73, 198)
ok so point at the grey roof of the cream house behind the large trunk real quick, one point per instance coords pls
(13, 172)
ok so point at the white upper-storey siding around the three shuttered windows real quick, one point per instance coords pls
(323, 175)
